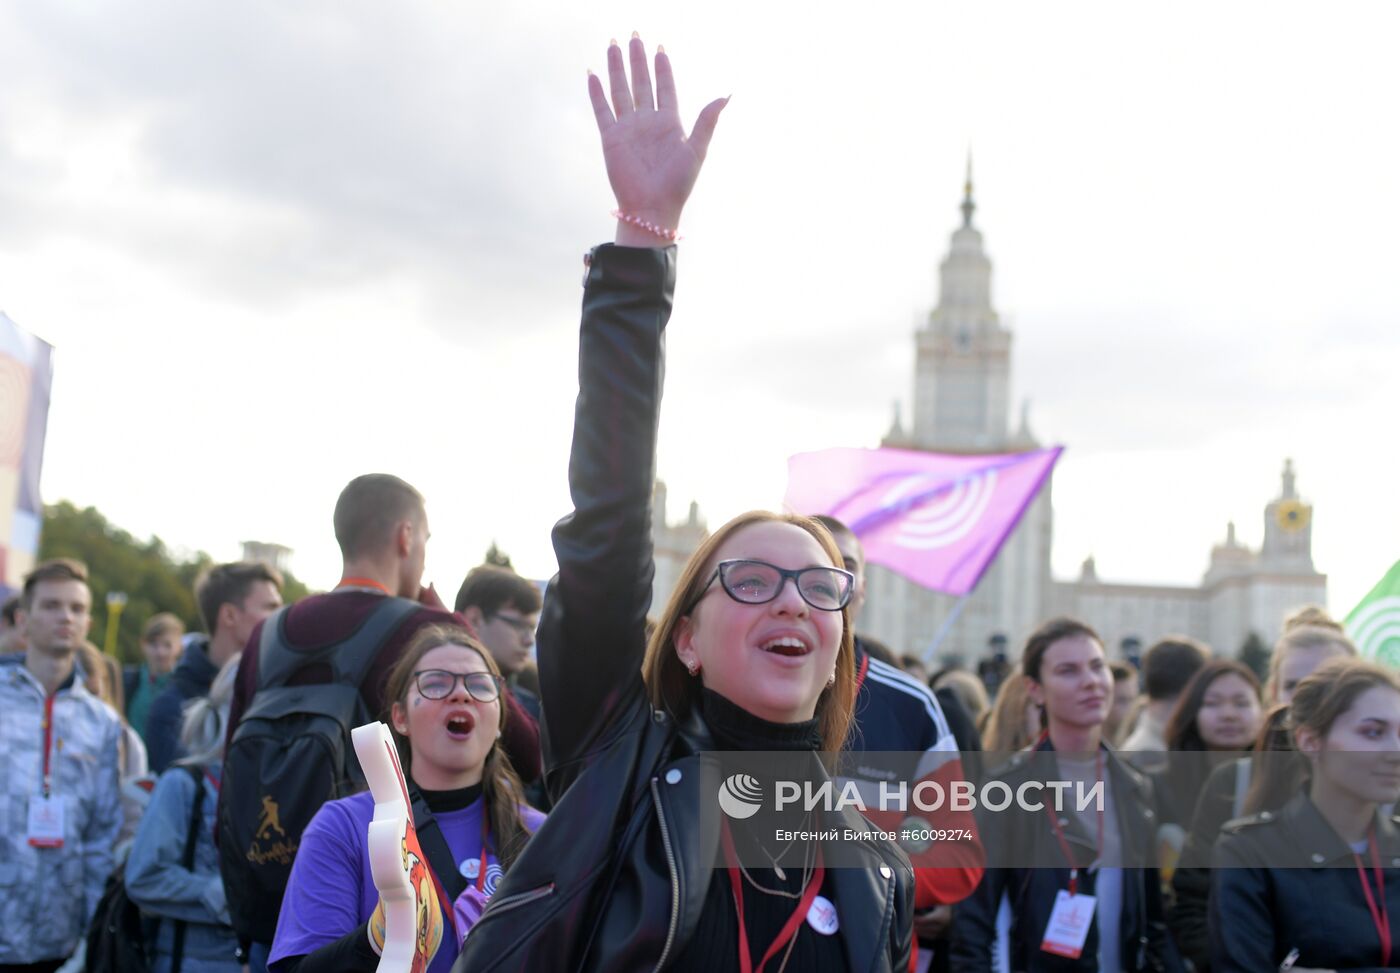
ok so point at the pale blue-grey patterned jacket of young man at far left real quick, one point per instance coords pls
(48, 895)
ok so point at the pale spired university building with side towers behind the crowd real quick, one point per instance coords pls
(962, 405)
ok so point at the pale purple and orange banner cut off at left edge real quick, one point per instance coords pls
(26, 376)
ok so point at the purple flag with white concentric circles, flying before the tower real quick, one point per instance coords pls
(936, 519)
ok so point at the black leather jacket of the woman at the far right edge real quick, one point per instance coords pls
(1286, 880)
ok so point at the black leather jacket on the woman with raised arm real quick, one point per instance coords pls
(617, 877)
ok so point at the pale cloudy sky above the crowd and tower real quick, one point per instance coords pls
(279, 246)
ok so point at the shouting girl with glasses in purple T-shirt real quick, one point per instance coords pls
(468, 808)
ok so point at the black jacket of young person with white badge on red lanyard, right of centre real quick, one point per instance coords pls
(1028, 836)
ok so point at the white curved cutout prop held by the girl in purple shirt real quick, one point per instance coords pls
(412, 919)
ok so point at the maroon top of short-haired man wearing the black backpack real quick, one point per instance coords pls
(323, 619)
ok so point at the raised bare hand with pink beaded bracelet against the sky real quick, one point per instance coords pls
(652, 164)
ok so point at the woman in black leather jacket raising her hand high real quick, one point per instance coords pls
(752, 653)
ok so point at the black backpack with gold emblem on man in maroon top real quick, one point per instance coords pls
(289, 755)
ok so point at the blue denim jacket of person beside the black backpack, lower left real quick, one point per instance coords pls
(157, 881)
